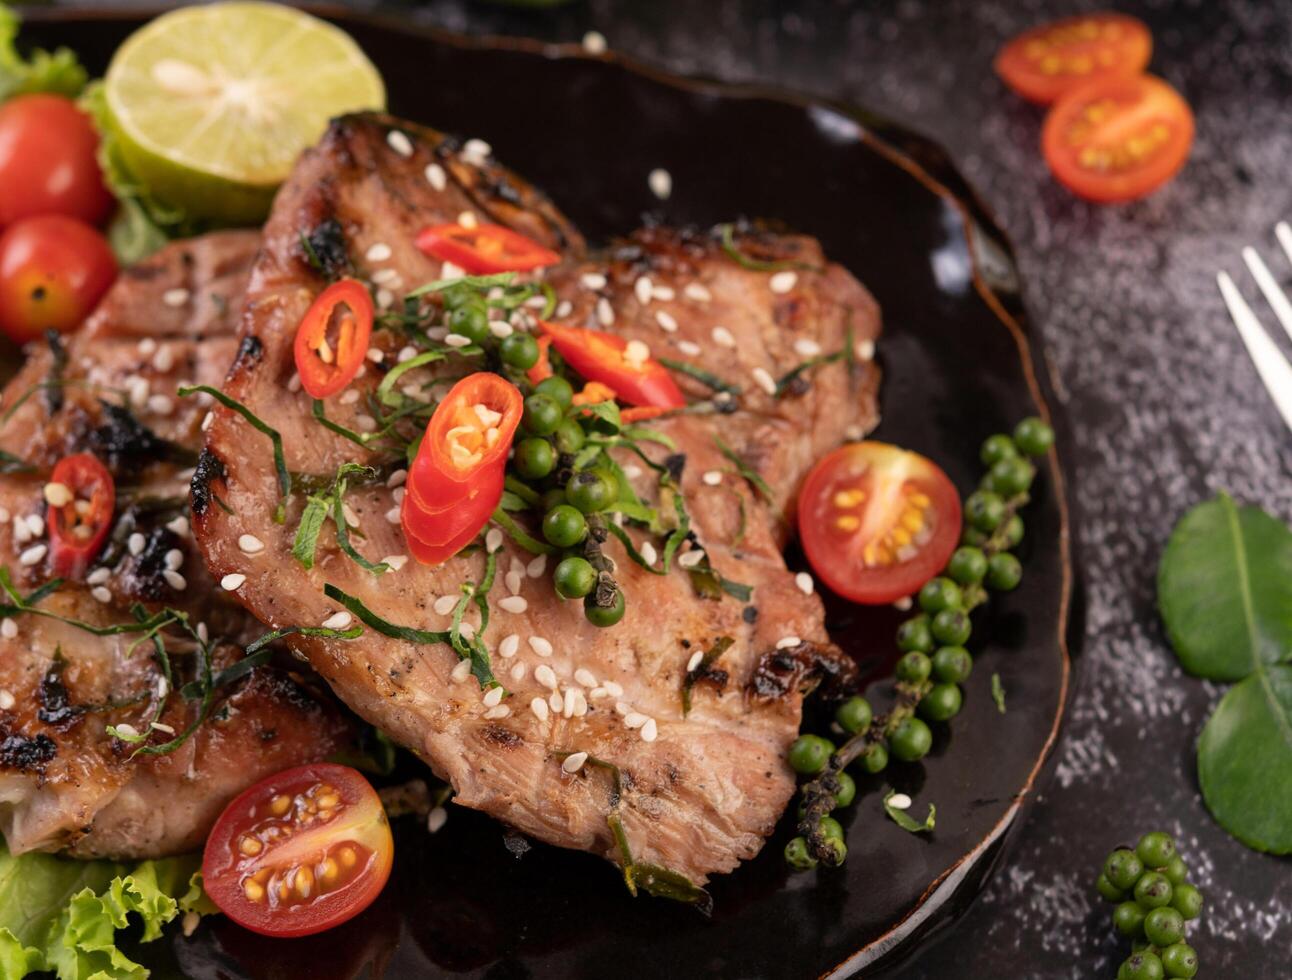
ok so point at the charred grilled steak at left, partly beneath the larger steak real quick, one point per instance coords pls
(65, 783)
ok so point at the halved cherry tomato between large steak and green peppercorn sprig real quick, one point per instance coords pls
(878, 522)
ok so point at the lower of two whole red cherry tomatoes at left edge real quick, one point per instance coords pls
(54, 272)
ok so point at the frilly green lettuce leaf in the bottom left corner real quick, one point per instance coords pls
(63, 916)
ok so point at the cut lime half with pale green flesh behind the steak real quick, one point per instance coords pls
(214, 104)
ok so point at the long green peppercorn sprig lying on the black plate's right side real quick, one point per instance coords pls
(935, 660)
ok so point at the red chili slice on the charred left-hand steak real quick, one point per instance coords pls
(79, 526)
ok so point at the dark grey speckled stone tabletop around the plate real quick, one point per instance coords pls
(1165, 406)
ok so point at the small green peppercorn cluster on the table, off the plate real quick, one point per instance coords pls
(1151, 885)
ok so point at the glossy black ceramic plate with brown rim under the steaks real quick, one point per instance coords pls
(958, 366)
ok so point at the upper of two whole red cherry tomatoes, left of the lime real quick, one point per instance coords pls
(48, 162)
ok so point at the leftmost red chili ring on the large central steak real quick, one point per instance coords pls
(333, 339)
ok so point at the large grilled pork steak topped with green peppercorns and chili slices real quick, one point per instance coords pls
(700, 791)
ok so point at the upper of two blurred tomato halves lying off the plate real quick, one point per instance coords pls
(1052, 60)
